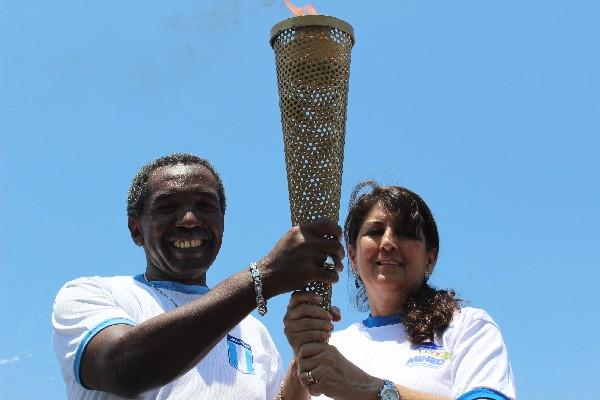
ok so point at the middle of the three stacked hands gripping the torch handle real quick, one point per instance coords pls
(306, 322)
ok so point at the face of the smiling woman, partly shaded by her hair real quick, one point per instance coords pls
(391, 264)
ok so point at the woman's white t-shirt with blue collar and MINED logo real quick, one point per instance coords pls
(469, 358)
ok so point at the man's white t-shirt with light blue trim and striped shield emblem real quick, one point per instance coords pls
(243, 365)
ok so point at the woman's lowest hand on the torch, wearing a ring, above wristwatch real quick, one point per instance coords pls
(324, 370)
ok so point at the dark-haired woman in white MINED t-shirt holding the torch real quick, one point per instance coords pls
(418, 342)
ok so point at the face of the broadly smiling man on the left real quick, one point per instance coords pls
(181, 227)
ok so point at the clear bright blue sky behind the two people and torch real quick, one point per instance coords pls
(488, 109)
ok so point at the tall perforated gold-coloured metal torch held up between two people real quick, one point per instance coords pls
(312, 55)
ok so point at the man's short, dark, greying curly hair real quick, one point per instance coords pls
(139, 185)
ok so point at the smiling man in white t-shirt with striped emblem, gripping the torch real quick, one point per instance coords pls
(163, 333)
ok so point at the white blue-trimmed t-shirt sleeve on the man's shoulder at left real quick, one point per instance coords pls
(82, 308)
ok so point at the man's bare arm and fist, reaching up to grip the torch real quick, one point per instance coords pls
(127, 360)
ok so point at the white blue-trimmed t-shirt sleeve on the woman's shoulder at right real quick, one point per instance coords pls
(480, 358)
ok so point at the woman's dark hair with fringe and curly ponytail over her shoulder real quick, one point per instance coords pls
(428, 311)
